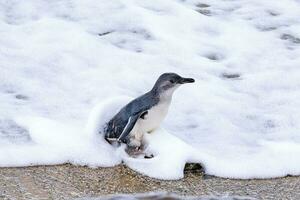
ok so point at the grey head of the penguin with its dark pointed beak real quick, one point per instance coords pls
(168, 82)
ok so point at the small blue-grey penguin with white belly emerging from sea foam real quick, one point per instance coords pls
(145, 113)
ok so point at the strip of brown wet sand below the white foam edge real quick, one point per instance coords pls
(69, 181)
